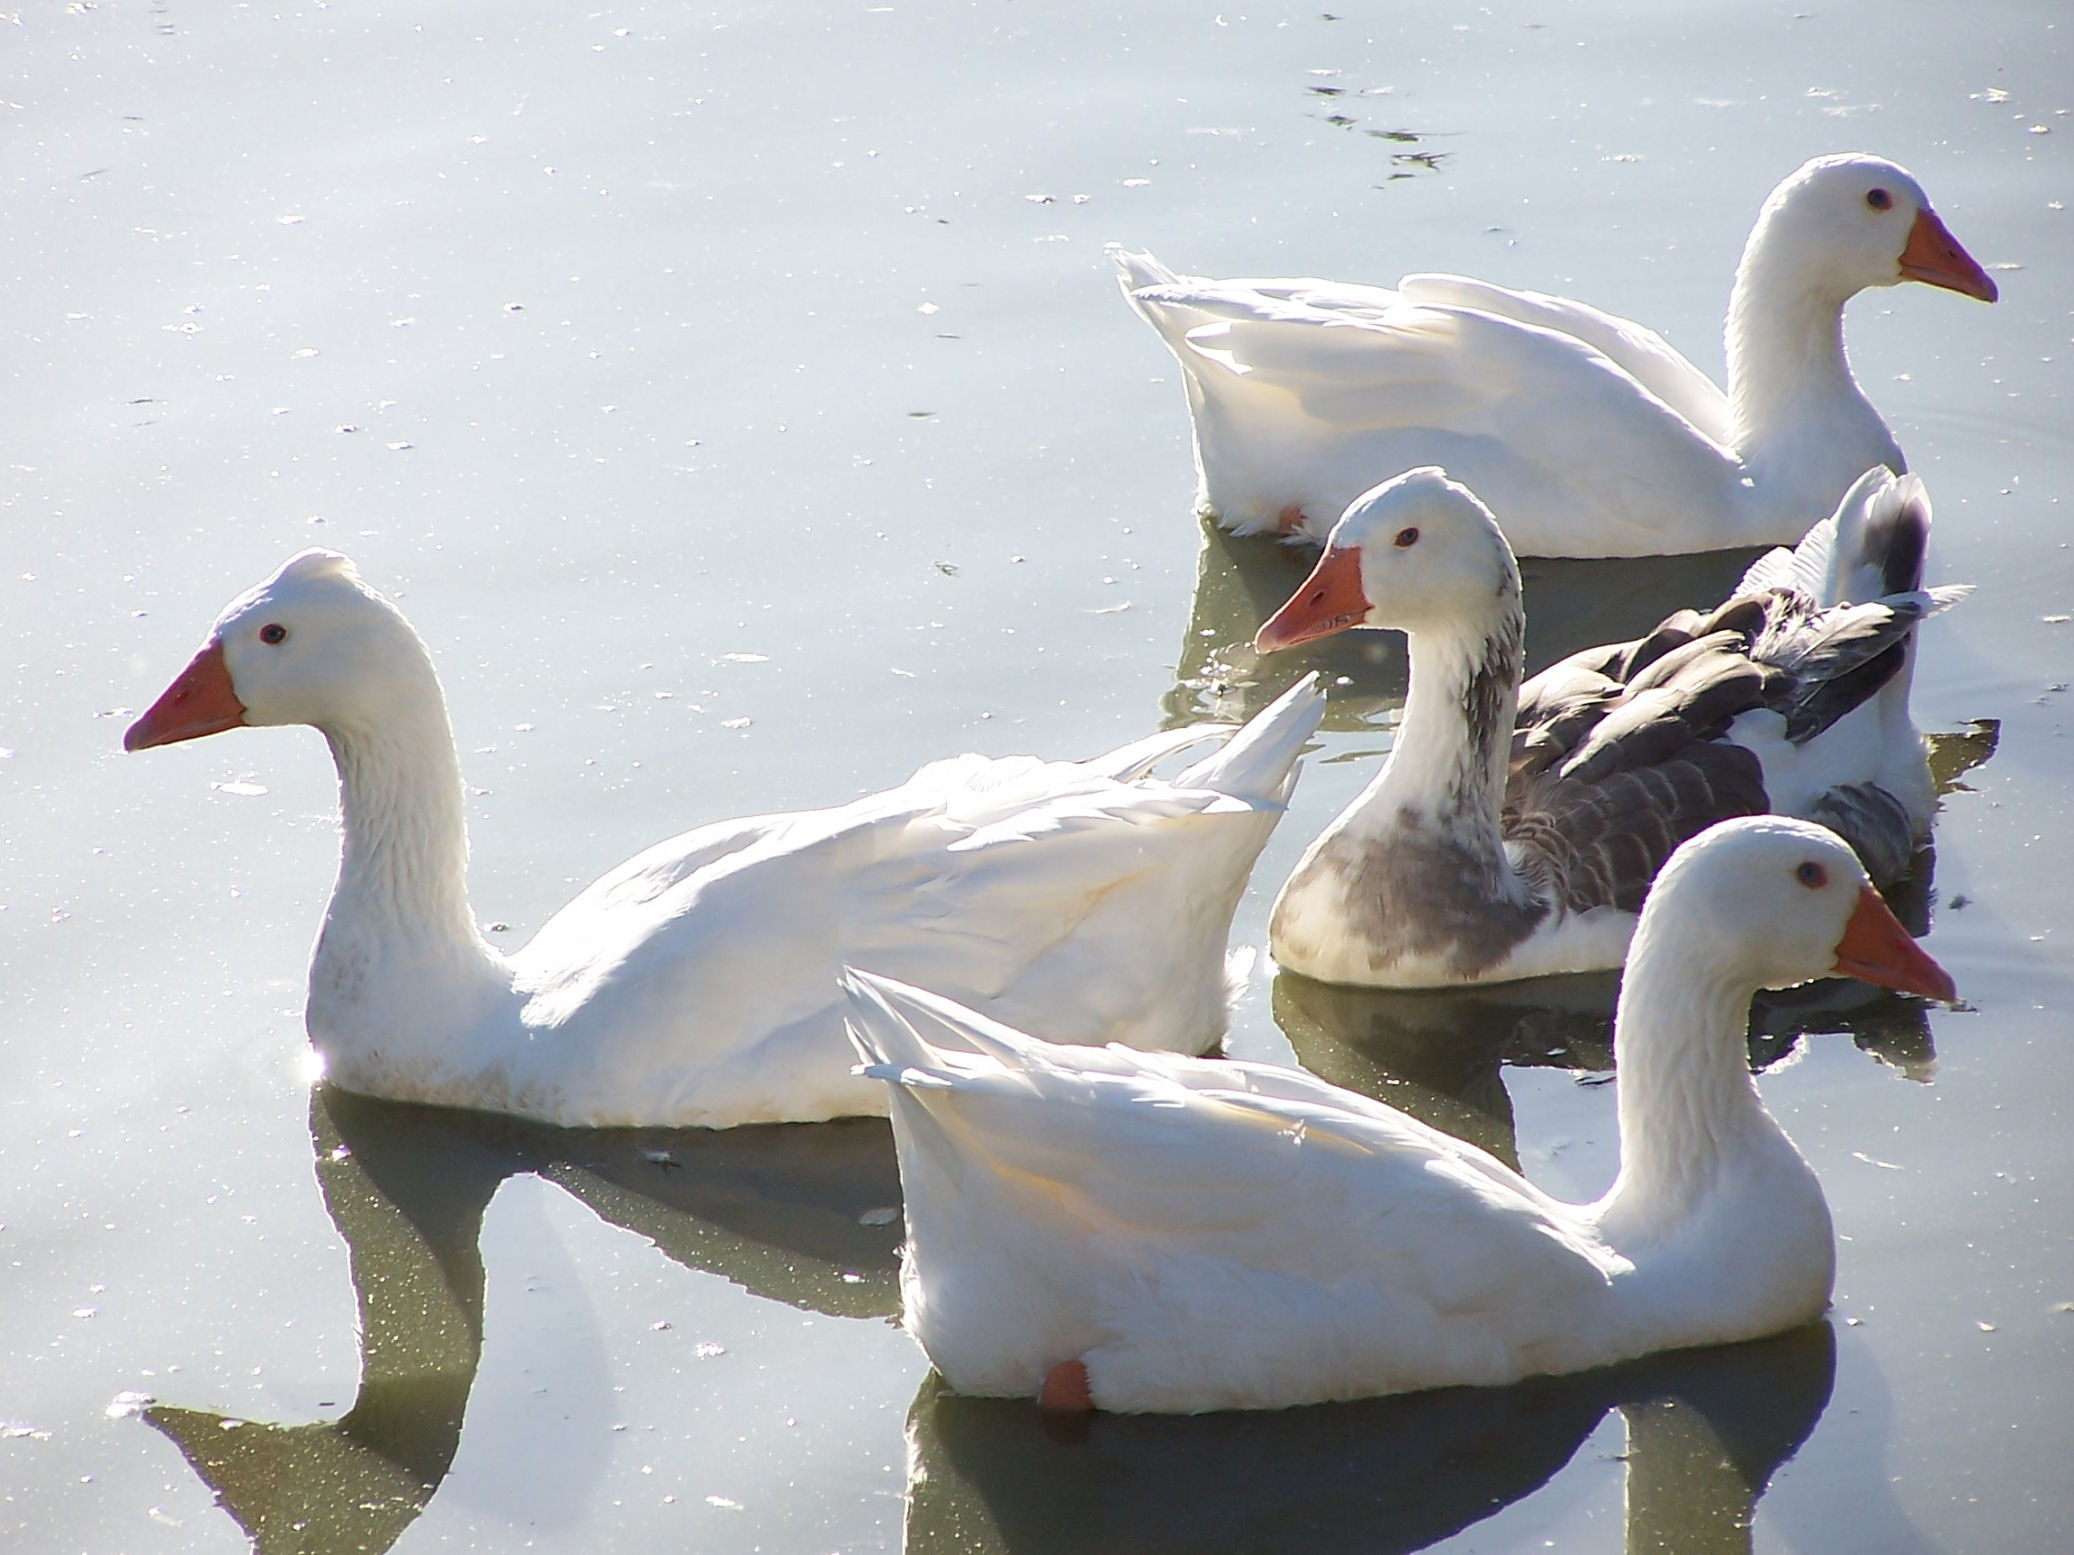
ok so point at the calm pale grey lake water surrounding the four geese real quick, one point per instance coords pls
(617, 343)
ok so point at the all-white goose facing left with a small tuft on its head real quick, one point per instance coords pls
(696, 984)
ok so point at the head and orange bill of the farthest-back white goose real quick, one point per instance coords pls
(1847, 223)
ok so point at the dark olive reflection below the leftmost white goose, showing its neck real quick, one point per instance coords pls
(802, 1214)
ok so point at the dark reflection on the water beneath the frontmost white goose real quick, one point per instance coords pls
(1708, 1430)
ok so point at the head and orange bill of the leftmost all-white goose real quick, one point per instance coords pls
(310, 646)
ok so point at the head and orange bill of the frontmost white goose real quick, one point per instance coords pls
(1768, 903)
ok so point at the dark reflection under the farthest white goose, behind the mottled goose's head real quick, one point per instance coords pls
(1241, 582)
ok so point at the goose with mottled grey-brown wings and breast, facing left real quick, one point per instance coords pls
(1513, 832)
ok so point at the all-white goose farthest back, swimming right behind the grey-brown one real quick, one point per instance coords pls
(1588, 432)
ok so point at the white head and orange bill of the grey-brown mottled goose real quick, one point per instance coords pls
(1418, 553)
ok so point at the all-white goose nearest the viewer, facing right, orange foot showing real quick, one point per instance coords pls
(1146, 1233)
